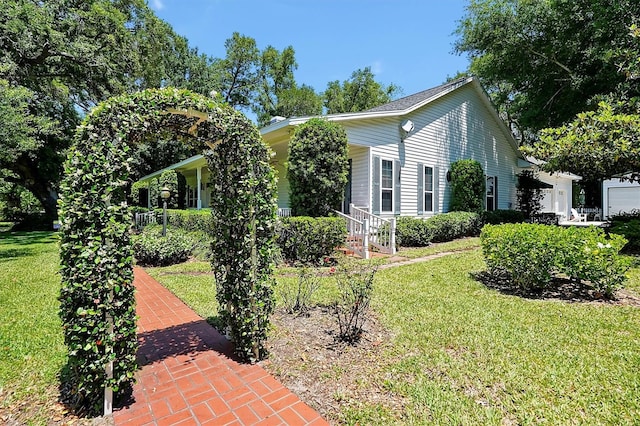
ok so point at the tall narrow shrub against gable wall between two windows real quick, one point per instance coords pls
(468, 186)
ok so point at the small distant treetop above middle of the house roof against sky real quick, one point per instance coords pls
(360, 93)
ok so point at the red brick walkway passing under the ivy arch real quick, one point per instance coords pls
(188, 377)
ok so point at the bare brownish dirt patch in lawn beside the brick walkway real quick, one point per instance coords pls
(331, 376)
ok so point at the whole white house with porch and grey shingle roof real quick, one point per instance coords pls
(400, 154)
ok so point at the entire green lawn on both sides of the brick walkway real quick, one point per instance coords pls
(462, 354)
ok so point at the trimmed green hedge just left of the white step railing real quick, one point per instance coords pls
(309, 240)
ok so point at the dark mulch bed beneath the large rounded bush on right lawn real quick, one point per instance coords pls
(560, 288)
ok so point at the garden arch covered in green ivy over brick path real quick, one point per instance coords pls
(97, 297)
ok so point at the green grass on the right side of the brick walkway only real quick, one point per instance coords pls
(465, 354)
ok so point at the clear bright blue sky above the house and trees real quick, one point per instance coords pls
(405, 42)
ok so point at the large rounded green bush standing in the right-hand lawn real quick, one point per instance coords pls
(532, 255)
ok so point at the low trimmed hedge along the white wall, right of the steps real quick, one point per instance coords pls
(412, 232)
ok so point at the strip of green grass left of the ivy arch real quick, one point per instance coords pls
(32, 350)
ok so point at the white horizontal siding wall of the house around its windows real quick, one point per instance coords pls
(456, 126)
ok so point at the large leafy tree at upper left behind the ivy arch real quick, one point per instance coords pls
(62, 57)
